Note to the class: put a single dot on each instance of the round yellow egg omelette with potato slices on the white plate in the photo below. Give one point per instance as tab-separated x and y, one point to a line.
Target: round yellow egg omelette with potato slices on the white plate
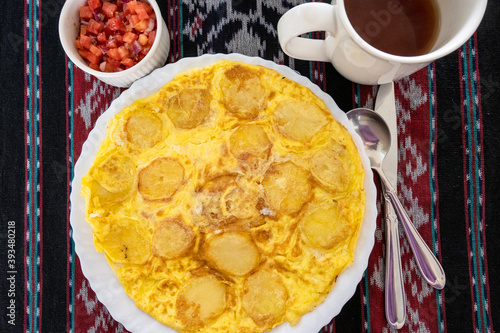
228	201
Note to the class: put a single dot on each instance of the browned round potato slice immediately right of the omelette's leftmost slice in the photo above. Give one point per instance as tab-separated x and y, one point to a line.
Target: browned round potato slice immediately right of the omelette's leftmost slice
161	178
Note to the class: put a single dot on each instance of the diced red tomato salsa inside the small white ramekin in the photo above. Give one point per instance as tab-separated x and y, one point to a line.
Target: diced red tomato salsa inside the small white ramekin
115	34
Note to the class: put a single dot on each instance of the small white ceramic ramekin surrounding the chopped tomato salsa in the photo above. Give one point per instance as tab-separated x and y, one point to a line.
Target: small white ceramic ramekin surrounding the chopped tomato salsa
69	28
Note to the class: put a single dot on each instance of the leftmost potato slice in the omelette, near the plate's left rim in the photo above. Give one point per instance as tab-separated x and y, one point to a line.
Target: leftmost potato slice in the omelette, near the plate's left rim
116	173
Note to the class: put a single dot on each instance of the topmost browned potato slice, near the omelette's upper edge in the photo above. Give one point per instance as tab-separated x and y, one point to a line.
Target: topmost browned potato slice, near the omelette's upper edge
244	95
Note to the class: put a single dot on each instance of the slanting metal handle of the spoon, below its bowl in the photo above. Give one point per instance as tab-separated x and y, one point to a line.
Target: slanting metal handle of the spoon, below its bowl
429	266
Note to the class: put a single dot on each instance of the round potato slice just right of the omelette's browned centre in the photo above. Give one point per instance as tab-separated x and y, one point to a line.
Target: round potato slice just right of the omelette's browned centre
286	187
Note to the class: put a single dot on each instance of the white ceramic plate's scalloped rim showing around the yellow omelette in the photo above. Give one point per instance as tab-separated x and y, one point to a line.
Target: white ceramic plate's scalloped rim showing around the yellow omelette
99	273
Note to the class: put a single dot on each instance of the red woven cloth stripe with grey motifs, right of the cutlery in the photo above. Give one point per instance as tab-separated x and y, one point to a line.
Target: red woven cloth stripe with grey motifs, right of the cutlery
424	302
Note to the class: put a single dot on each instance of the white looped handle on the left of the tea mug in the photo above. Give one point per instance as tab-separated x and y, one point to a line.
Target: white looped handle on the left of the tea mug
302	19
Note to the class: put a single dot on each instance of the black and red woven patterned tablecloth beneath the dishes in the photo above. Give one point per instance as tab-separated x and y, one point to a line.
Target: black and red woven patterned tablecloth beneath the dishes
449	131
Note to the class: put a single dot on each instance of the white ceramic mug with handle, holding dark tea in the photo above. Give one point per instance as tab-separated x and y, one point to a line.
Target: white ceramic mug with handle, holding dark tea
357	60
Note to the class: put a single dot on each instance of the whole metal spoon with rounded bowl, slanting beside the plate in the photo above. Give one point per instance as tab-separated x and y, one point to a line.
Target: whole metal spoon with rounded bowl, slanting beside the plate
376	138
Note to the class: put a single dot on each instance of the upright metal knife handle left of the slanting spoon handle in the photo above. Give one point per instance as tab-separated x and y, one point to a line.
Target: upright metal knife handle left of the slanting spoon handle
395	304
